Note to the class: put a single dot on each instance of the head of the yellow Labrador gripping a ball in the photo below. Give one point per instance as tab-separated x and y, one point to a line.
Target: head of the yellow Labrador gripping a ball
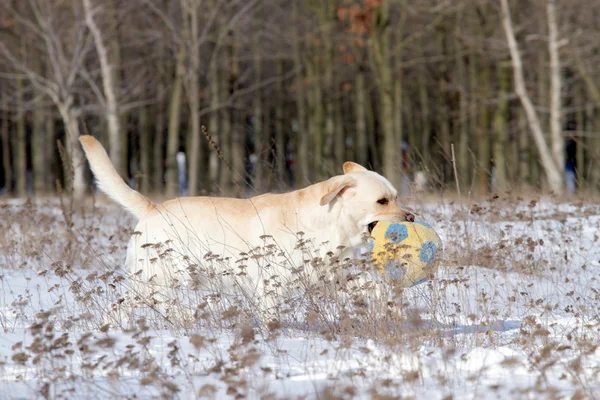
364	198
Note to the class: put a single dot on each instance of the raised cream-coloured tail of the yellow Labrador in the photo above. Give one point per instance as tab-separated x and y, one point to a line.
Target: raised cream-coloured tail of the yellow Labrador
109	181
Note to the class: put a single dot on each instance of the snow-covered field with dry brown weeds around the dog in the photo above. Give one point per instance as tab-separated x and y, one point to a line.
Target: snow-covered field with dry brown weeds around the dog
513	313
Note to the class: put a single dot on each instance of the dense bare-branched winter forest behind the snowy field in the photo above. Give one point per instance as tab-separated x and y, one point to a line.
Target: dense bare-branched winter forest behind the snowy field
266	95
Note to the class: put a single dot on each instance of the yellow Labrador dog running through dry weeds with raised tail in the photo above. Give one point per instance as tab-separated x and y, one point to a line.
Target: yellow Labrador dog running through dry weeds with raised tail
172	237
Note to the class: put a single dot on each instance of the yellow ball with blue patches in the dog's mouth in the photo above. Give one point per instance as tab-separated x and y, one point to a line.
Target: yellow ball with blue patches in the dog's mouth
405	252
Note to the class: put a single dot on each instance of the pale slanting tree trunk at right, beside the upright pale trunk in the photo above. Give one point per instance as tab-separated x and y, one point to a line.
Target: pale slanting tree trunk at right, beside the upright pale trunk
553	171
